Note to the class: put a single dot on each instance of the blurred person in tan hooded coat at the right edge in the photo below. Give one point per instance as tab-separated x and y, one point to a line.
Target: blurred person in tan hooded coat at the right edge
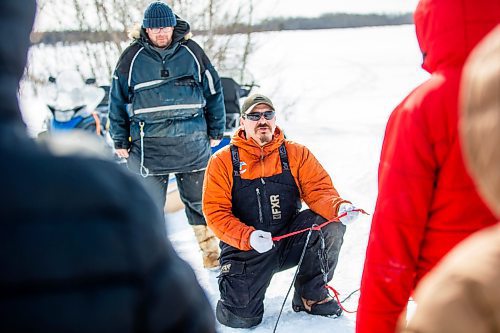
462	294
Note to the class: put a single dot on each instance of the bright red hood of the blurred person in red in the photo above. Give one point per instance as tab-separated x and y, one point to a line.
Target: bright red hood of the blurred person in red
447	30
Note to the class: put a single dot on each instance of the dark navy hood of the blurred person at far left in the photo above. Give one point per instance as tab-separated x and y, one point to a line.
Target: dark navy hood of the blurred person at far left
16	17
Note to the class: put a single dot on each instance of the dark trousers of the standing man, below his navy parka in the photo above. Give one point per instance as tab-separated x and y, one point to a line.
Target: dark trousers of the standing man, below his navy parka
190	189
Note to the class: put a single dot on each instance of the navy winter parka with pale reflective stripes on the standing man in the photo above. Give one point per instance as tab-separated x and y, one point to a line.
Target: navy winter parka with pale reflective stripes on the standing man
175	100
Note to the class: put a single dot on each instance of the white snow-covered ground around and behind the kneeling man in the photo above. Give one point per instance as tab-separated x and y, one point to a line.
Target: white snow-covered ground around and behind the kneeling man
334	91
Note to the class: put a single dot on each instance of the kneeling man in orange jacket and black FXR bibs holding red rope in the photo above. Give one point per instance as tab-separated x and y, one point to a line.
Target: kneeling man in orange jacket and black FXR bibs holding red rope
253	190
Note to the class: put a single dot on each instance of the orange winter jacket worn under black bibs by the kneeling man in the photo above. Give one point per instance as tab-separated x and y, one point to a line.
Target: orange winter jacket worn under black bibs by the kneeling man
315	185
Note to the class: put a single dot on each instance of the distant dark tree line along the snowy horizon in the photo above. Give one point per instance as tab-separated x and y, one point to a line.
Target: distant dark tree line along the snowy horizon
326	21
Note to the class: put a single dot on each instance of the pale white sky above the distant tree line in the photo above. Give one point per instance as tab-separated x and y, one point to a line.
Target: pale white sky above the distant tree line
311	8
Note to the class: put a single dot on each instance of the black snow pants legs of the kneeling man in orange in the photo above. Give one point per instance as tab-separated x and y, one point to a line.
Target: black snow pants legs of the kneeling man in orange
246	275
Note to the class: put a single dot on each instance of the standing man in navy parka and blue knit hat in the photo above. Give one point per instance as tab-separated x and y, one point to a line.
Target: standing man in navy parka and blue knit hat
166	111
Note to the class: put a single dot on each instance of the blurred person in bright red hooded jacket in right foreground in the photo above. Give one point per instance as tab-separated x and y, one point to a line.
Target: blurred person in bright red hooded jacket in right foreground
427	202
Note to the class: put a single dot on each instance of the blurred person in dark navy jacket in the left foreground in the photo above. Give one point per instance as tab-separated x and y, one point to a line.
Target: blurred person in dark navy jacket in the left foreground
74	256
